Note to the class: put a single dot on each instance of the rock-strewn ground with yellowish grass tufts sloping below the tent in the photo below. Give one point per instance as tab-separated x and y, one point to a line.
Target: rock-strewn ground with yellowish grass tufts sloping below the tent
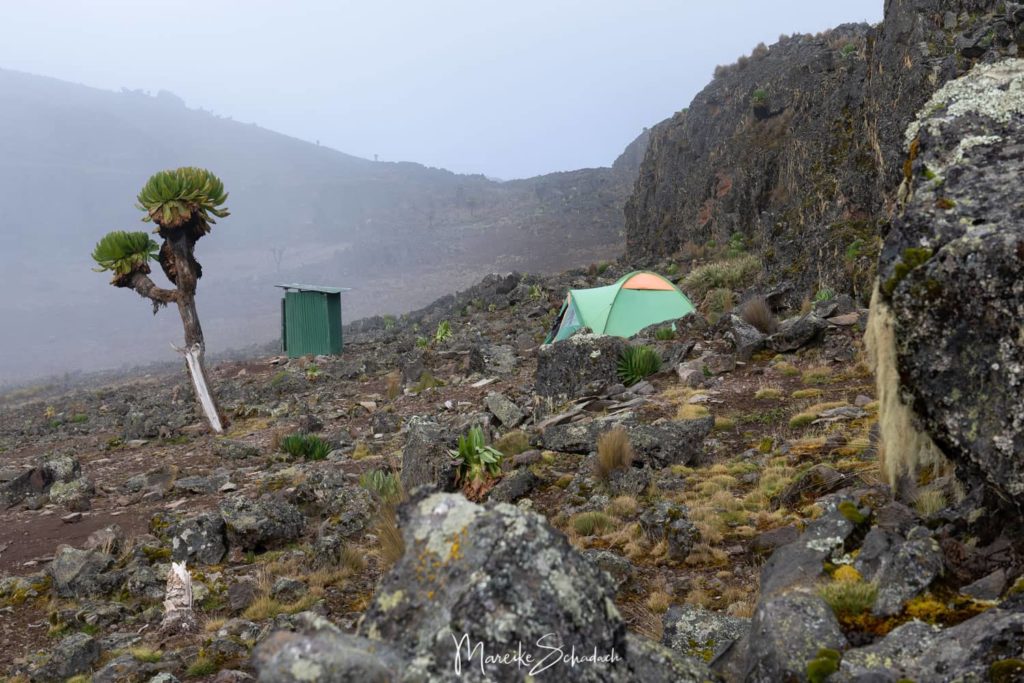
746	447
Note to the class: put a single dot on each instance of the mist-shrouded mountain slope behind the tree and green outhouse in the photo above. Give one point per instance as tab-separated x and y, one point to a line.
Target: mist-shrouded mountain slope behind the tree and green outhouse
73	158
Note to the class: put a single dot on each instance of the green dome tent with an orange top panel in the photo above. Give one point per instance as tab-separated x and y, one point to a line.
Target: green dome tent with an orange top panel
637	301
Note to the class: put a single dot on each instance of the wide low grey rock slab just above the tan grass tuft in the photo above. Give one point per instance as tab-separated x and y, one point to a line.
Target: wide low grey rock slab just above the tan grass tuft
658	445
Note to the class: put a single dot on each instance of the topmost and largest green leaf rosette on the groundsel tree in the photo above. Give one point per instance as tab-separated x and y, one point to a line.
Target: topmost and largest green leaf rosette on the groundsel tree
184	196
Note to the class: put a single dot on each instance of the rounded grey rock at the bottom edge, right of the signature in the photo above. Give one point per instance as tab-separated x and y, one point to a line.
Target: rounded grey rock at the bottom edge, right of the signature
788	632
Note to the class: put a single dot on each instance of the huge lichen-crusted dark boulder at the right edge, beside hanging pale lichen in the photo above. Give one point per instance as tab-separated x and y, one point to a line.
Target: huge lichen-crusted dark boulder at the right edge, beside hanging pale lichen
951	273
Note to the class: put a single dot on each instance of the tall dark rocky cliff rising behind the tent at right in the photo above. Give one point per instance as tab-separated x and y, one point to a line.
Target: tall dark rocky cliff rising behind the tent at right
799	147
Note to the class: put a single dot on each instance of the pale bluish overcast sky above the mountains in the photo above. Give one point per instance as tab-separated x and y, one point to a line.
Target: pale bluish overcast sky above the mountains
508	90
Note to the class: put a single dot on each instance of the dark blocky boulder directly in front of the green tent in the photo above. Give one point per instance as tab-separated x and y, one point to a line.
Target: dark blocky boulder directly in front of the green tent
578	366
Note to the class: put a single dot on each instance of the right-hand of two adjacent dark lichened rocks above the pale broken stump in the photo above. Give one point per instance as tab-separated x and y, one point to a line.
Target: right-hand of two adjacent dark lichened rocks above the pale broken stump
261	525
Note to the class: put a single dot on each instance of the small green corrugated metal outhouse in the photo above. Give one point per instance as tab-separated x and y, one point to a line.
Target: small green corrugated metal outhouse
311	320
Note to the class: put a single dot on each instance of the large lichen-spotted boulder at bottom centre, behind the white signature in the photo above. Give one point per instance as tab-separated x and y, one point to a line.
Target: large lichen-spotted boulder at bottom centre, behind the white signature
482	593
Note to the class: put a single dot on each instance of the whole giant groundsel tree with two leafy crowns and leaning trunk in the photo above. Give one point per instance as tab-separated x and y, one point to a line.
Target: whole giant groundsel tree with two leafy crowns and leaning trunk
183	204
